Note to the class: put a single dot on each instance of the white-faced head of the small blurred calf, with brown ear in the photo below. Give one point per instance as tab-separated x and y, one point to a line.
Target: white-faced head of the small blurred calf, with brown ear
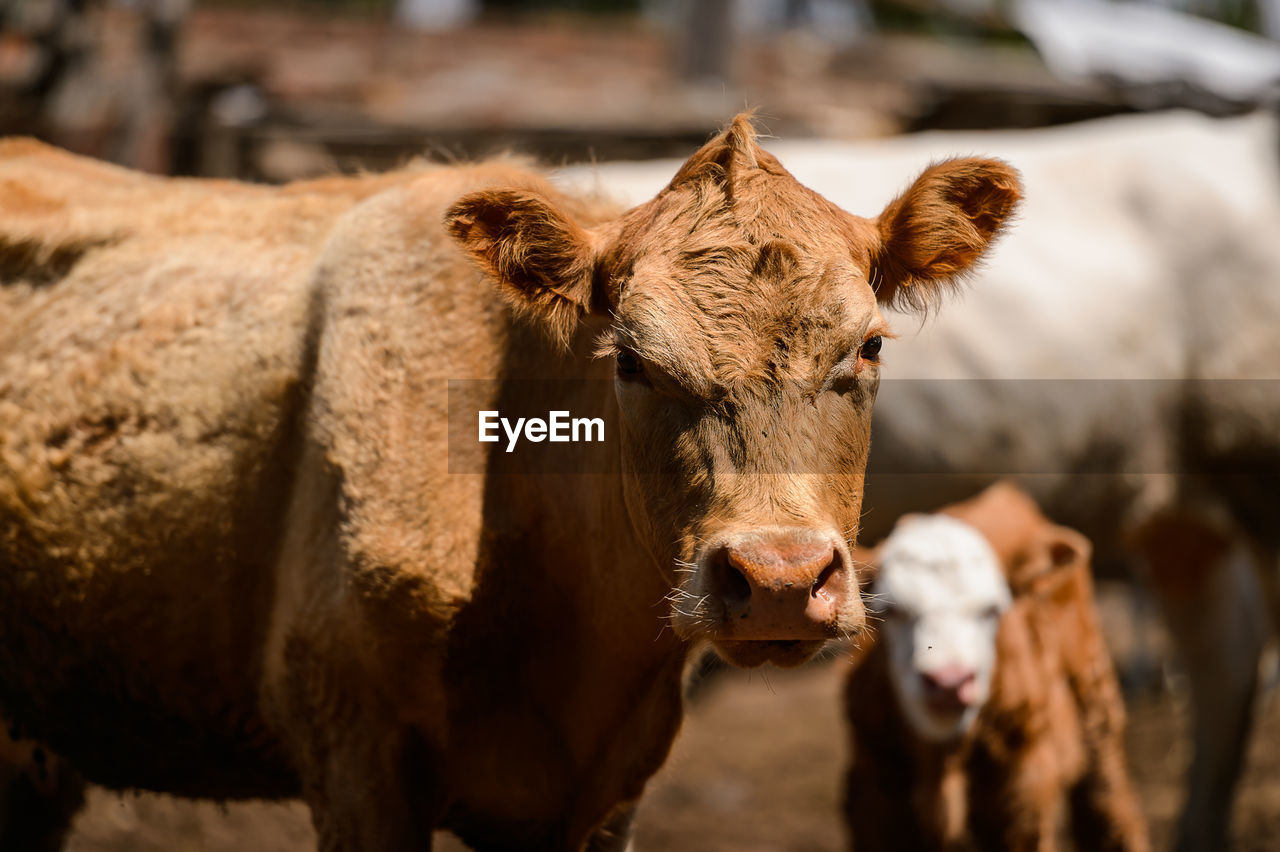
943	585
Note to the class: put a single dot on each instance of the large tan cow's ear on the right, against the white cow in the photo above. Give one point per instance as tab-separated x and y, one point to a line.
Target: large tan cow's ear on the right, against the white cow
939	230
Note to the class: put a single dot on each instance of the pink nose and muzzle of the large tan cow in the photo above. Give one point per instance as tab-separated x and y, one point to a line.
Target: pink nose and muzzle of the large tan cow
790	585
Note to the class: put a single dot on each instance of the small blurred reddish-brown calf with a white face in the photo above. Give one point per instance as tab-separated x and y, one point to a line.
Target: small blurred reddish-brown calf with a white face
988	703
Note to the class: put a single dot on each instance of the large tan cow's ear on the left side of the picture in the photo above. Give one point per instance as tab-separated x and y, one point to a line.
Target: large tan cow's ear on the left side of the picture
541	258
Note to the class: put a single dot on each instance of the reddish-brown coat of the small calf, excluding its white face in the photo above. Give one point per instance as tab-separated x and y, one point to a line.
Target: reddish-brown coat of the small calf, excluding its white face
1046	745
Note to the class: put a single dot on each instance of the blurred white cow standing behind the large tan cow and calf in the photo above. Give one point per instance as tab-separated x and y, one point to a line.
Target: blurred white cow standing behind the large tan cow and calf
1119	356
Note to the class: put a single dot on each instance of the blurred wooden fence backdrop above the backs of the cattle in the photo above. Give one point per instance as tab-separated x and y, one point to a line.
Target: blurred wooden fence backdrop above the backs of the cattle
275	90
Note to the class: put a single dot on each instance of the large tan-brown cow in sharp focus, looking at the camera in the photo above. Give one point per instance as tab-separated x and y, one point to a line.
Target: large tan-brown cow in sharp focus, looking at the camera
235	561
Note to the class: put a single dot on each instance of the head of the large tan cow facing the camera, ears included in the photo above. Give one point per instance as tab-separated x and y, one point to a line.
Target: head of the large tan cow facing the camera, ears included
740	312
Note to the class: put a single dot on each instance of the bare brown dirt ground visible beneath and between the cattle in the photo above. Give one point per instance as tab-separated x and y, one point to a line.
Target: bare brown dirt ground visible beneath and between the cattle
757	768
